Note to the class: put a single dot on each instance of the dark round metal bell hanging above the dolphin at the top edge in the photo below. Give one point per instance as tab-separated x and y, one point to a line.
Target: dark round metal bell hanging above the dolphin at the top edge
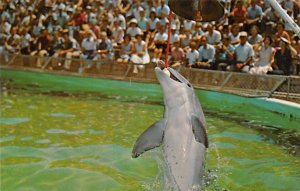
197	10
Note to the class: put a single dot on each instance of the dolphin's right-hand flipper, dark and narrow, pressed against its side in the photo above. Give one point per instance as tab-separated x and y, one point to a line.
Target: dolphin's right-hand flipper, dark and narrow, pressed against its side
199	131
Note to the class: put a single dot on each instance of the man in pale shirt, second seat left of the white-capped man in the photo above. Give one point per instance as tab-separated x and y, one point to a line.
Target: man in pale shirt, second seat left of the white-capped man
206	54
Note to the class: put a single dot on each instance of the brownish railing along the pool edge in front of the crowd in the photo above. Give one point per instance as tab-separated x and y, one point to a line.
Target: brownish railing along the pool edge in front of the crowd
284	87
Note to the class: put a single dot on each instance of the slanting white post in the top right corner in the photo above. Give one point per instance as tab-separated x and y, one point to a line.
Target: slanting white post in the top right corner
282	13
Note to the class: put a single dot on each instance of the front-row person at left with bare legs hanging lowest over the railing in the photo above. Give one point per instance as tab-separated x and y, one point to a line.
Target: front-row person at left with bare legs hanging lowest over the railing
69	50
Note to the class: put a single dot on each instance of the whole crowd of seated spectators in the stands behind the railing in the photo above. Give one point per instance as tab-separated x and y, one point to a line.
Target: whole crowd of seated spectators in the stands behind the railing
251	37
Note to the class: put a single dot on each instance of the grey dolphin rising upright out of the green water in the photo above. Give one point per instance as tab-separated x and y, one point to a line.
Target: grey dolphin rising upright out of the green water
181	132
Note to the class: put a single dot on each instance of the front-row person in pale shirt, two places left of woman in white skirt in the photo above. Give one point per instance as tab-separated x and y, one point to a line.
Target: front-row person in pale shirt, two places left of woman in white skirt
104	49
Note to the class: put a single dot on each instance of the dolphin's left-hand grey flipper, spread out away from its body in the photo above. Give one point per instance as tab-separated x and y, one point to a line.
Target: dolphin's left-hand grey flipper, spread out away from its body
149	139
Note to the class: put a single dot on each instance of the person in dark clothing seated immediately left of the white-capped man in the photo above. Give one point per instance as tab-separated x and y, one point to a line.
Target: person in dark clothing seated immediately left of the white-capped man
224	54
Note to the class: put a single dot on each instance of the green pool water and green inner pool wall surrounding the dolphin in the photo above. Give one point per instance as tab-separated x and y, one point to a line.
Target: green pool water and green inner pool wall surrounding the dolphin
70	133
